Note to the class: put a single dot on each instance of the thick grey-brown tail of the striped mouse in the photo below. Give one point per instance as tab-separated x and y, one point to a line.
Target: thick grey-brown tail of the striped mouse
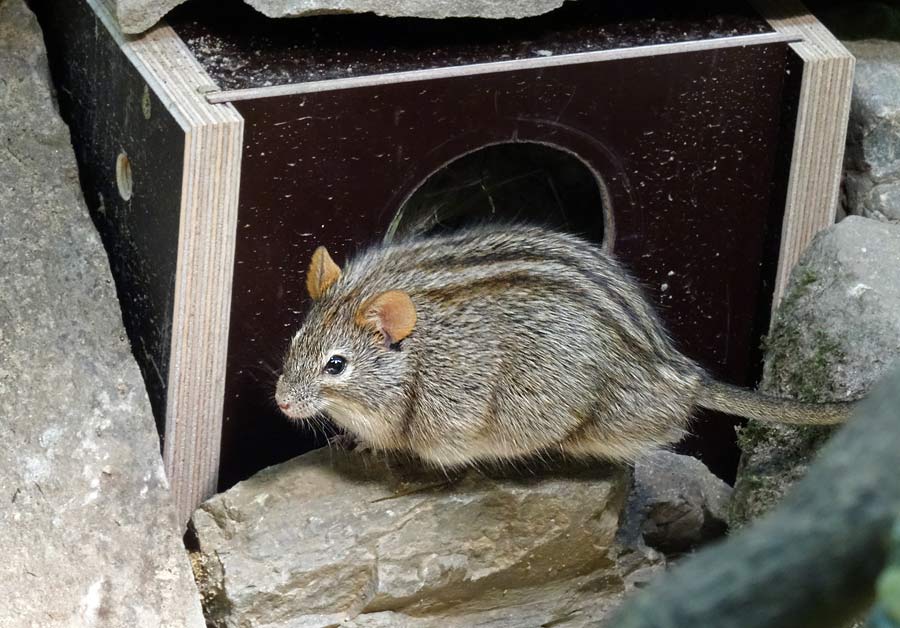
755	405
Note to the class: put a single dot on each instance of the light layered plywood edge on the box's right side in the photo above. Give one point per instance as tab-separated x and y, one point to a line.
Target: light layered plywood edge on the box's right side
818	155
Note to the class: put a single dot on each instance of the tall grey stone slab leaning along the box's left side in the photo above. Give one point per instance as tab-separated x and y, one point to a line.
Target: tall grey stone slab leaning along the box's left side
89	536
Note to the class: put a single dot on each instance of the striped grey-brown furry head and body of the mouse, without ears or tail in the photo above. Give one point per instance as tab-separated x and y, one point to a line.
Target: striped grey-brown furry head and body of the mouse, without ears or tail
526	341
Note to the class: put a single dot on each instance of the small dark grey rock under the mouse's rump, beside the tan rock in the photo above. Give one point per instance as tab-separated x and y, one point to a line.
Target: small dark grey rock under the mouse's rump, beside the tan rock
676	504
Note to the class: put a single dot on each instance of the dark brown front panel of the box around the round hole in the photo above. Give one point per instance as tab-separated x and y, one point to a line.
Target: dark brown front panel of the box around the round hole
686	145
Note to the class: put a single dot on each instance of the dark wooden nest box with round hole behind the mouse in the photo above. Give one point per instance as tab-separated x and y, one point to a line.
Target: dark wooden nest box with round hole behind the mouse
702	147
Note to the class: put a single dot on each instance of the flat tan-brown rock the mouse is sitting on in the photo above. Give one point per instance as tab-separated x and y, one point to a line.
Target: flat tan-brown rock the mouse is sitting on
340	538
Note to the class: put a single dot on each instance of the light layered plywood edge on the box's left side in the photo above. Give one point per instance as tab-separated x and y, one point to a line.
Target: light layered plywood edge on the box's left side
205	264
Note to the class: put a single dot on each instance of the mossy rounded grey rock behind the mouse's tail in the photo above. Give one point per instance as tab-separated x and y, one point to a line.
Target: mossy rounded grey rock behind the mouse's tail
836	332
